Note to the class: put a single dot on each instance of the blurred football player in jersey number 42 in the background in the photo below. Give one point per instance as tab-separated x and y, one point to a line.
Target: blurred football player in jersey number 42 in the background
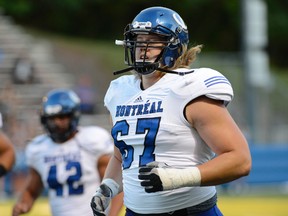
69	161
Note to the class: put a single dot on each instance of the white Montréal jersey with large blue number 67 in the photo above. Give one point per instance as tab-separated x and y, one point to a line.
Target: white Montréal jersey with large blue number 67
149	125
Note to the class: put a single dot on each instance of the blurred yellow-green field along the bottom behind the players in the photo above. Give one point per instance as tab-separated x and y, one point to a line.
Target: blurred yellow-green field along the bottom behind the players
229	205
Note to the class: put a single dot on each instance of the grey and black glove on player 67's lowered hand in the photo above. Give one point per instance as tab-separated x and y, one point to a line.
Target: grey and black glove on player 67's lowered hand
101	200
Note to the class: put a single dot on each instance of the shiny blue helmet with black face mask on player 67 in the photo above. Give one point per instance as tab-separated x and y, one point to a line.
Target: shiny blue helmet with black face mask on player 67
163	22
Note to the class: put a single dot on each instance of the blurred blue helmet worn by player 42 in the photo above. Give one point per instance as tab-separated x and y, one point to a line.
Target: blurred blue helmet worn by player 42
57	103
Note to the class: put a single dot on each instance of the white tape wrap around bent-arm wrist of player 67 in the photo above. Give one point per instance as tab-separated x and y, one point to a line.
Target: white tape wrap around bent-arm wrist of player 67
173	178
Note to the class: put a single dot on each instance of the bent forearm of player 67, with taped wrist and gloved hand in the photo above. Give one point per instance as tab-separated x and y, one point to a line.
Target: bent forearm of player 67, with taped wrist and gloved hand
156	176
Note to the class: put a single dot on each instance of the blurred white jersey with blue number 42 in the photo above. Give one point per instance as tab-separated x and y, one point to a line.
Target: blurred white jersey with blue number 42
69	170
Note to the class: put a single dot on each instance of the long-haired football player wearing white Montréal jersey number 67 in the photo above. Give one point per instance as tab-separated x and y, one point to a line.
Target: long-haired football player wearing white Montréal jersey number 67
174	137
